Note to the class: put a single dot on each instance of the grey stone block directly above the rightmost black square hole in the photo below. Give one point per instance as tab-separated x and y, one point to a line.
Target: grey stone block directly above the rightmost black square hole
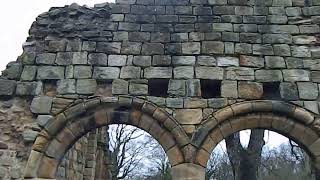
268	75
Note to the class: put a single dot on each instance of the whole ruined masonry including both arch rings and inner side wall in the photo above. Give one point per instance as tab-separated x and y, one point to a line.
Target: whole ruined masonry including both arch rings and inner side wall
189	72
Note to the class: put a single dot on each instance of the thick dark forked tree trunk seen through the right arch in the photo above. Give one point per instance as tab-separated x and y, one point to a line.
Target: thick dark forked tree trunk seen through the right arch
245	162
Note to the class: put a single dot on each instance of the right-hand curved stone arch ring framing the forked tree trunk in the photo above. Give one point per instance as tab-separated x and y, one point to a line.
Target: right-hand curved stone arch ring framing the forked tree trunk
286	119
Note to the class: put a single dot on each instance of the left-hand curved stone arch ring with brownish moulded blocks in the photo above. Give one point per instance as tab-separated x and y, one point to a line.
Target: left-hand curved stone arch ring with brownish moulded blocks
67	127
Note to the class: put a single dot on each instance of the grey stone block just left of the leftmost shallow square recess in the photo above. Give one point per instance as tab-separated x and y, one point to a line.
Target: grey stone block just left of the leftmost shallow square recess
29	88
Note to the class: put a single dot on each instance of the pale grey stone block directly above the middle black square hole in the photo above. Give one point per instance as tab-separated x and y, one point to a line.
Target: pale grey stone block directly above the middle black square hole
215	73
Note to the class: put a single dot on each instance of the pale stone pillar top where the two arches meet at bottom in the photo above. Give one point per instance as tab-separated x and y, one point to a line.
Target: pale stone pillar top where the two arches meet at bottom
188	171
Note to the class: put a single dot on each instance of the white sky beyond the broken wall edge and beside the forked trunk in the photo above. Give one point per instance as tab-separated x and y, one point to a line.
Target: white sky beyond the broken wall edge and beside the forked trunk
16	17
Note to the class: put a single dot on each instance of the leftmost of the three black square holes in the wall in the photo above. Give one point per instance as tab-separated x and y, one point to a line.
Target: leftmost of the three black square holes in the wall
158	87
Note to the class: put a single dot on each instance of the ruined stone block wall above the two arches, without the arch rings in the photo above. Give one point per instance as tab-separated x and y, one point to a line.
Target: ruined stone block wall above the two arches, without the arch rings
190	57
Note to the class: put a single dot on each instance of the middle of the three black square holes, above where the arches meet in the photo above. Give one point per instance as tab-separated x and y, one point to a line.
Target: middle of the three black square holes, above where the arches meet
210	88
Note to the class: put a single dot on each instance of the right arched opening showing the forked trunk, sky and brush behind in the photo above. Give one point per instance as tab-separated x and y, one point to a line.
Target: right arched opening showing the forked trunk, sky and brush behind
259	154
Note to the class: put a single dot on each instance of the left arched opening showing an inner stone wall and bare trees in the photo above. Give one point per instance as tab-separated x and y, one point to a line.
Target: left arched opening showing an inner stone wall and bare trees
115	152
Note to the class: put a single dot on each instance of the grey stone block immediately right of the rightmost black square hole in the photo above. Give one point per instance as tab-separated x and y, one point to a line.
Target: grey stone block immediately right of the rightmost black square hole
289	91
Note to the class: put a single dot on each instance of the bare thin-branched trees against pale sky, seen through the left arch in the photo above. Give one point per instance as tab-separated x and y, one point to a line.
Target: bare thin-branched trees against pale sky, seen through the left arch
135	154
